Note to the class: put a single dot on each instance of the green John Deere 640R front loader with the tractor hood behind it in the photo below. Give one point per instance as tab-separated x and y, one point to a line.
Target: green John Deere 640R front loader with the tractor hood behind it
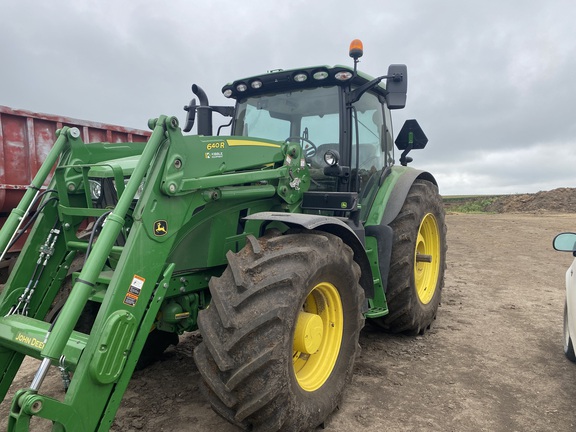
138	262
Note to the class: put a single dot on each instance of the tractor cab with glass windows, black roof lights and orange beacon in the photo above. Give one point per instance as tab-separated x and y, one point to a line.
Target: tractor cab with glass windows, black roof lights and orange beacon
340	117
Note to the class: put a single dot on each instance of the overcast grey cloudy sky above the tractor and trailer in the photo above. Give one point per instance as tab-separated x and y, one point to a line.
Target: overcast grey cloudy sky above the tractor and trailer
492	83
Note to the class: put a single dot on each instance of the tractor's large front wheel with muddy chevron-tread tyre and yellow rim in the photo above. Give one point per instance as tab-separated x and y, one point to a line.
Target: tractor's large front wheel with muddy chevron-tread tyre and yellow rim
281	333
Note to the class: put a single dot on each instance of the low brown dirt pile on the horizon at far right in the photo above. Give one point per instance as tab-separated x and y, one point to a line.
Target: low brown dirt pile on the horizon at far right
562	200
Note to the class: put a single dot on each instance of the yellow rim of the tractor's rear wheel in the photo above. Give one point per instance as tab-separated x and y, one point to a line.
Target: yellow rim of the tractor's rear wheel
427	258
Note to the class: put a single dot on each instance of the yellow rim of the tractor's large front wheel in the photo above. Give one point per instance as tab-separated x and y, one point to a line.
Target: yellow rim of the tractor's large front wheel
317	336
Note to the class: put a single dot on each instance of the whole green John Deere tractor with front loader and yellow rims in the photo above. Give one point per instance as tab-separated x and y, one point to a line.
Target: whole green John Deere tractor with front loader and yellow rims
276	243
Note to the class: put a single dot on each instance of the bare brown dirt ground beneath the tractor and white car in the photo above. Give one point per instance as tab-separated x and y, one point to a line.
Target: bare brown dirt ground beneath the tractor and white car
493	360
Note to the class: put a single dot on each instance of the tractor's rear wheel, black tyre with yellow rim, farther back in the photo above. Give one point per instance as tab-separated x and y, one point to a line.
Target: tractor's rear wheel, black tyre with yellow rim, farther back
418	261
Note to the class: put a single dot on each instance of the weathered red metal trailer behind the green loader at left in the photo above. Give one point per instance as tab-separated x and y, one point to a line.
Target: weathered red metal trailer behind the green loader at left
25	139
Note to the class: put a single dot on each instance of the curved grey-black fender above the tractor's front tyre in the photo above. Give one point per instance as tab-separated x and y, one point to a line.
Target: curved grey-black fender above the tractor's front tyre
333	226
